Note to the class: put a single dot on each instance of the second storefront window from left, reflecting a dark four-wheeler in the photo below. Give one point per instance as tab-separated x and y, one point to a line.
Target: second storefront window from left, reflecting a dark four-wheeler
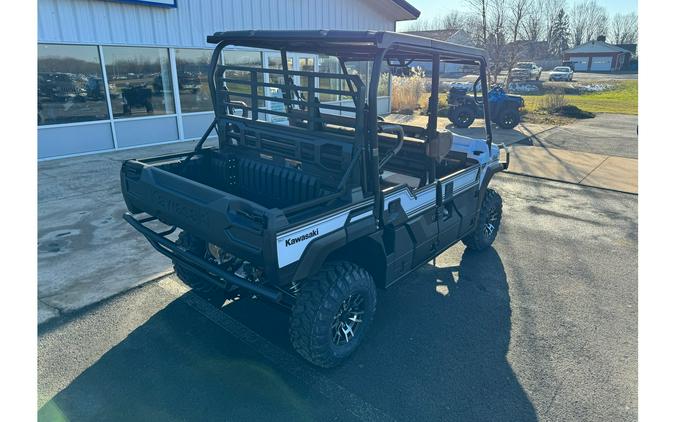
139	79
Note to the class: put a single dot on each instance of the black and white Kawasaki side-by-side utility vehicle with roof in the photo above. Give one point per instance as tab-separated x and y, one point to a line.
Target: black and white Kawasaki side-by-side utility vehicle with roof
311	199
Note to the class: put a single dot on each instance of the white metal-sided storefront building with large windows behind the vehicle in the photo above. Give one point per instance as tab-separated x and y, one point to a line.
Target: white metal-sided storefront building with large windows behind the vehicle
122	74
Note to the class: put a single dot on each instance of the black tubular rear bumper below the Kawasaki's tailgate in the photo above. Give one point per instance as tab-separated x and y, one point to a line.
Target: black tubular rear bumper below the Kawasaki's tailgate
200	266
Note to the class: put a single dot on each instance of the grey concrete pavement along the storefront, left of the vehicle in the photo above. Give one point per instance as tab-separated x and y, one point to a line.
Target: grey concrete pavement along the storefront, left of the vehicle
86	251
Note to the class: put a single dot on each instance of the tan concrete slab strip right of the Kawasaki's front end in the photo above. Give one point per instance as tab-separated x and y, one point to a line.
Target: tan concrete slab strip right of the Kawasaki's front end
584	168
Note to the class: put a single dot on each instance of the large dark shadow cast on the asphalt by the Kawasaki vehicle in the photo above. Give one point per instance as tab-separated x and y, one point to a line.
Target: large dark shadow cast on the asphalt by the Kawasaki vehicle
436	351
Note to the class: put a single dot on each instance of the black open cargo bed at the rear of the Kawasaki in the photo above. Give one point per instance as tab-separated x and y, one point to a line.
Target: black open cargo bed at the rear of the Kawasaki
238	203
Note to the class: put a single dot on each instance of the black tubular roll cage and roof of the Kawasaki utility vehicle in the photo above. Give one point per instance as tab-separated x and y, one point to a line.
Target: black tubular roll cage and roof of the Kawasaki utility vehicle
346	46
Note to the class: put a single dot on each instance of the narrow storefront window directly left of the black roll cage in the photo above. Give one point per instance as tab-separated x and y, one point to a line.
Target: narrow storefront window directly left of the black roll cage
192	68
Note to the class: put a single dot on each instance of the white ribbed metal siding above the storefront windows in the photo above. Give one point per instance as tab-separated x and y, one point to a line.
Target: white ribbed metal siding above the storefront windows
110	22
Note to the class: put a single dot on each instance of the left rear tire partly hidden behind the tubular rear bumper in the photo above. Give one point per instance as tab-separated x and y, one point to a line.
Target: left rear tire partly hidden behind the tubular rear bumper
197	283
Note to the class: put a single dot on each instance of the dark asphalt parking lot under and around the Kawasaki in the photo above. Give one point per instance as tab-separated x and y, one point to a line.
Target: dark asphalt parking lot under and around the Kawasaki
541	327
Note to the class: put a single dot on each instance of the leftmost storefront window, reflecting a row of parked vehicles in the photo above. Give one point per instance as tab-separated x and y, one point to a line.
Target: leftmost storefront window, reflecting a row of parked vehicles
70	84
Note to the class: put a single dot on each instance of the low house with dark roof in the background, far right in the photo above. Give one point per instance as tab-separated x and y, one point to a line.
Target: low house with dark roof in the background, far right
599	56
